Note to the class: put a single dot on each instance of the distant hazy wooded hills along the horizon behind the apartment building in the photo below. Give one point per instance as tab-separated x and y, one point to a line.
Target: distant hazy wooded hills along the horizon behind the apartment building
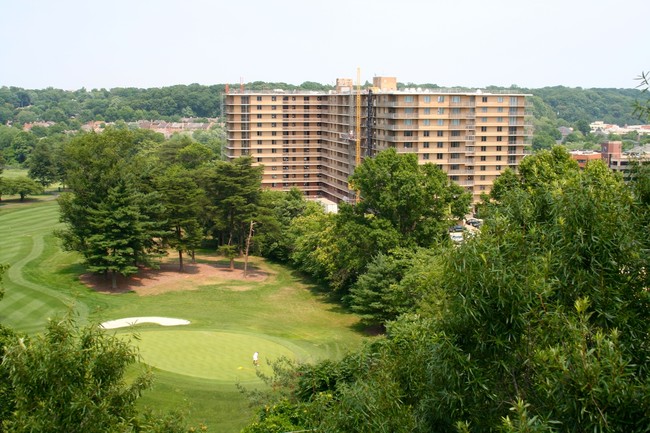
552	107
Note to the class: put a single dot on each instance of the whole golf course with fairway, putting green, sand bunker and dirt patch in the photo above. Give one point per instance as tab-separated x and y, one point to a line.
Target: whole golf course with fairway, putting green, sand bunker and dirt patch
197	330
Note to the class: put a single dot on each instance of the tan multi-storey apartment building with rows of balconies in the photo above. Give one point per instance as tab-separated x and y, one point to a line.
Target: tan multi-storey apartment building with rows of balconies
308	139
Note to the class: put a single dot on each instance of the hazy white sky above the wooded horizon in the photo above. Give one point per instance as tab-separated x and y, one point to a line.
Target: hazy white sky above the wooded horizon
71	44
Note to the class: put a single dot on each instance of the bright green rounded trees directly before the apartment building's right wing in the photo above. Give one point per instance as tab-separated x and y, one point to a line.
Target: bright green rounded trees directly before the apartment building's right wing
403	205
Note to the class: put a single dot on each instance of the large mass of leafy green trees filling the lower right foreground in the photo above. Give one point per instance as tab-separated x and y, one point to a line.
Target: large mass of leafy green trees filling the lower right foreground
539	323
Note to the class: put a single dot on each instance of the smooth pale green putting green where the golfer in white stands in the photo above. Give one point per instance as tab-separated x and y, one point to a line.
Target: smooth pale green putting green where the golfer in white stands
212	355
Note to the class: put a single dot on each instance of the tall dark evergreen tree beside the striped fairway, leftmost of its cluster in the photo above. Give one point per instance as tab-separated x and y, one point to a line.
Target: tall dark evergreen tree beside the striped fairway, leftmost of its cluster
112	217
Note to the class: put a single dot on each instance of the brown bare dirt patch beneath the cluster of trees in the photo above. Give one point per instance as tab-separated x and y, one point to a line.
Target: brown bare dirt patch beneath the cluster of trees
169	279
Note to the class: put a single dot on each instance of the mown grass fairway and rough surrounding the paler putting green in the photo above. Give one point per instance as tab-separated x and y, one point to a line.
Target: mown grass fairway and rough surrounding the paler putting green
43	282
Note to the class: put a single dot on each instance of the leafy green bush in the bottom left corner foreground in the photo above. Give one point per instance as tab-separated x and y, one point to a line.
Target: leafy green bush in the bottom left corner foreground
74	380
